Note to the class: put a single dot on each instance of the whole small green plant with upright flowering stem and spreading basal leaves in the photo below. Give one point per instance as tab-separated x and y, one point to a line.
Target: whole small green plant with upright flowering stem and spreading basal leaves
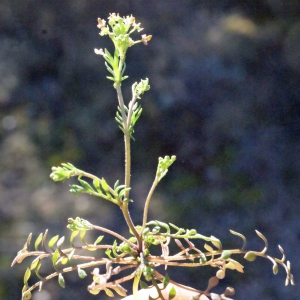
134	252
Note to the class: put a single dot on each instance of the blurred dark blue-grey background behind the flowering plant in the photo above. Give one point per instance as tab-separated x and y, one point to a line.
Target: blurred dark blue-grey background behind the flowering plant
224	98
